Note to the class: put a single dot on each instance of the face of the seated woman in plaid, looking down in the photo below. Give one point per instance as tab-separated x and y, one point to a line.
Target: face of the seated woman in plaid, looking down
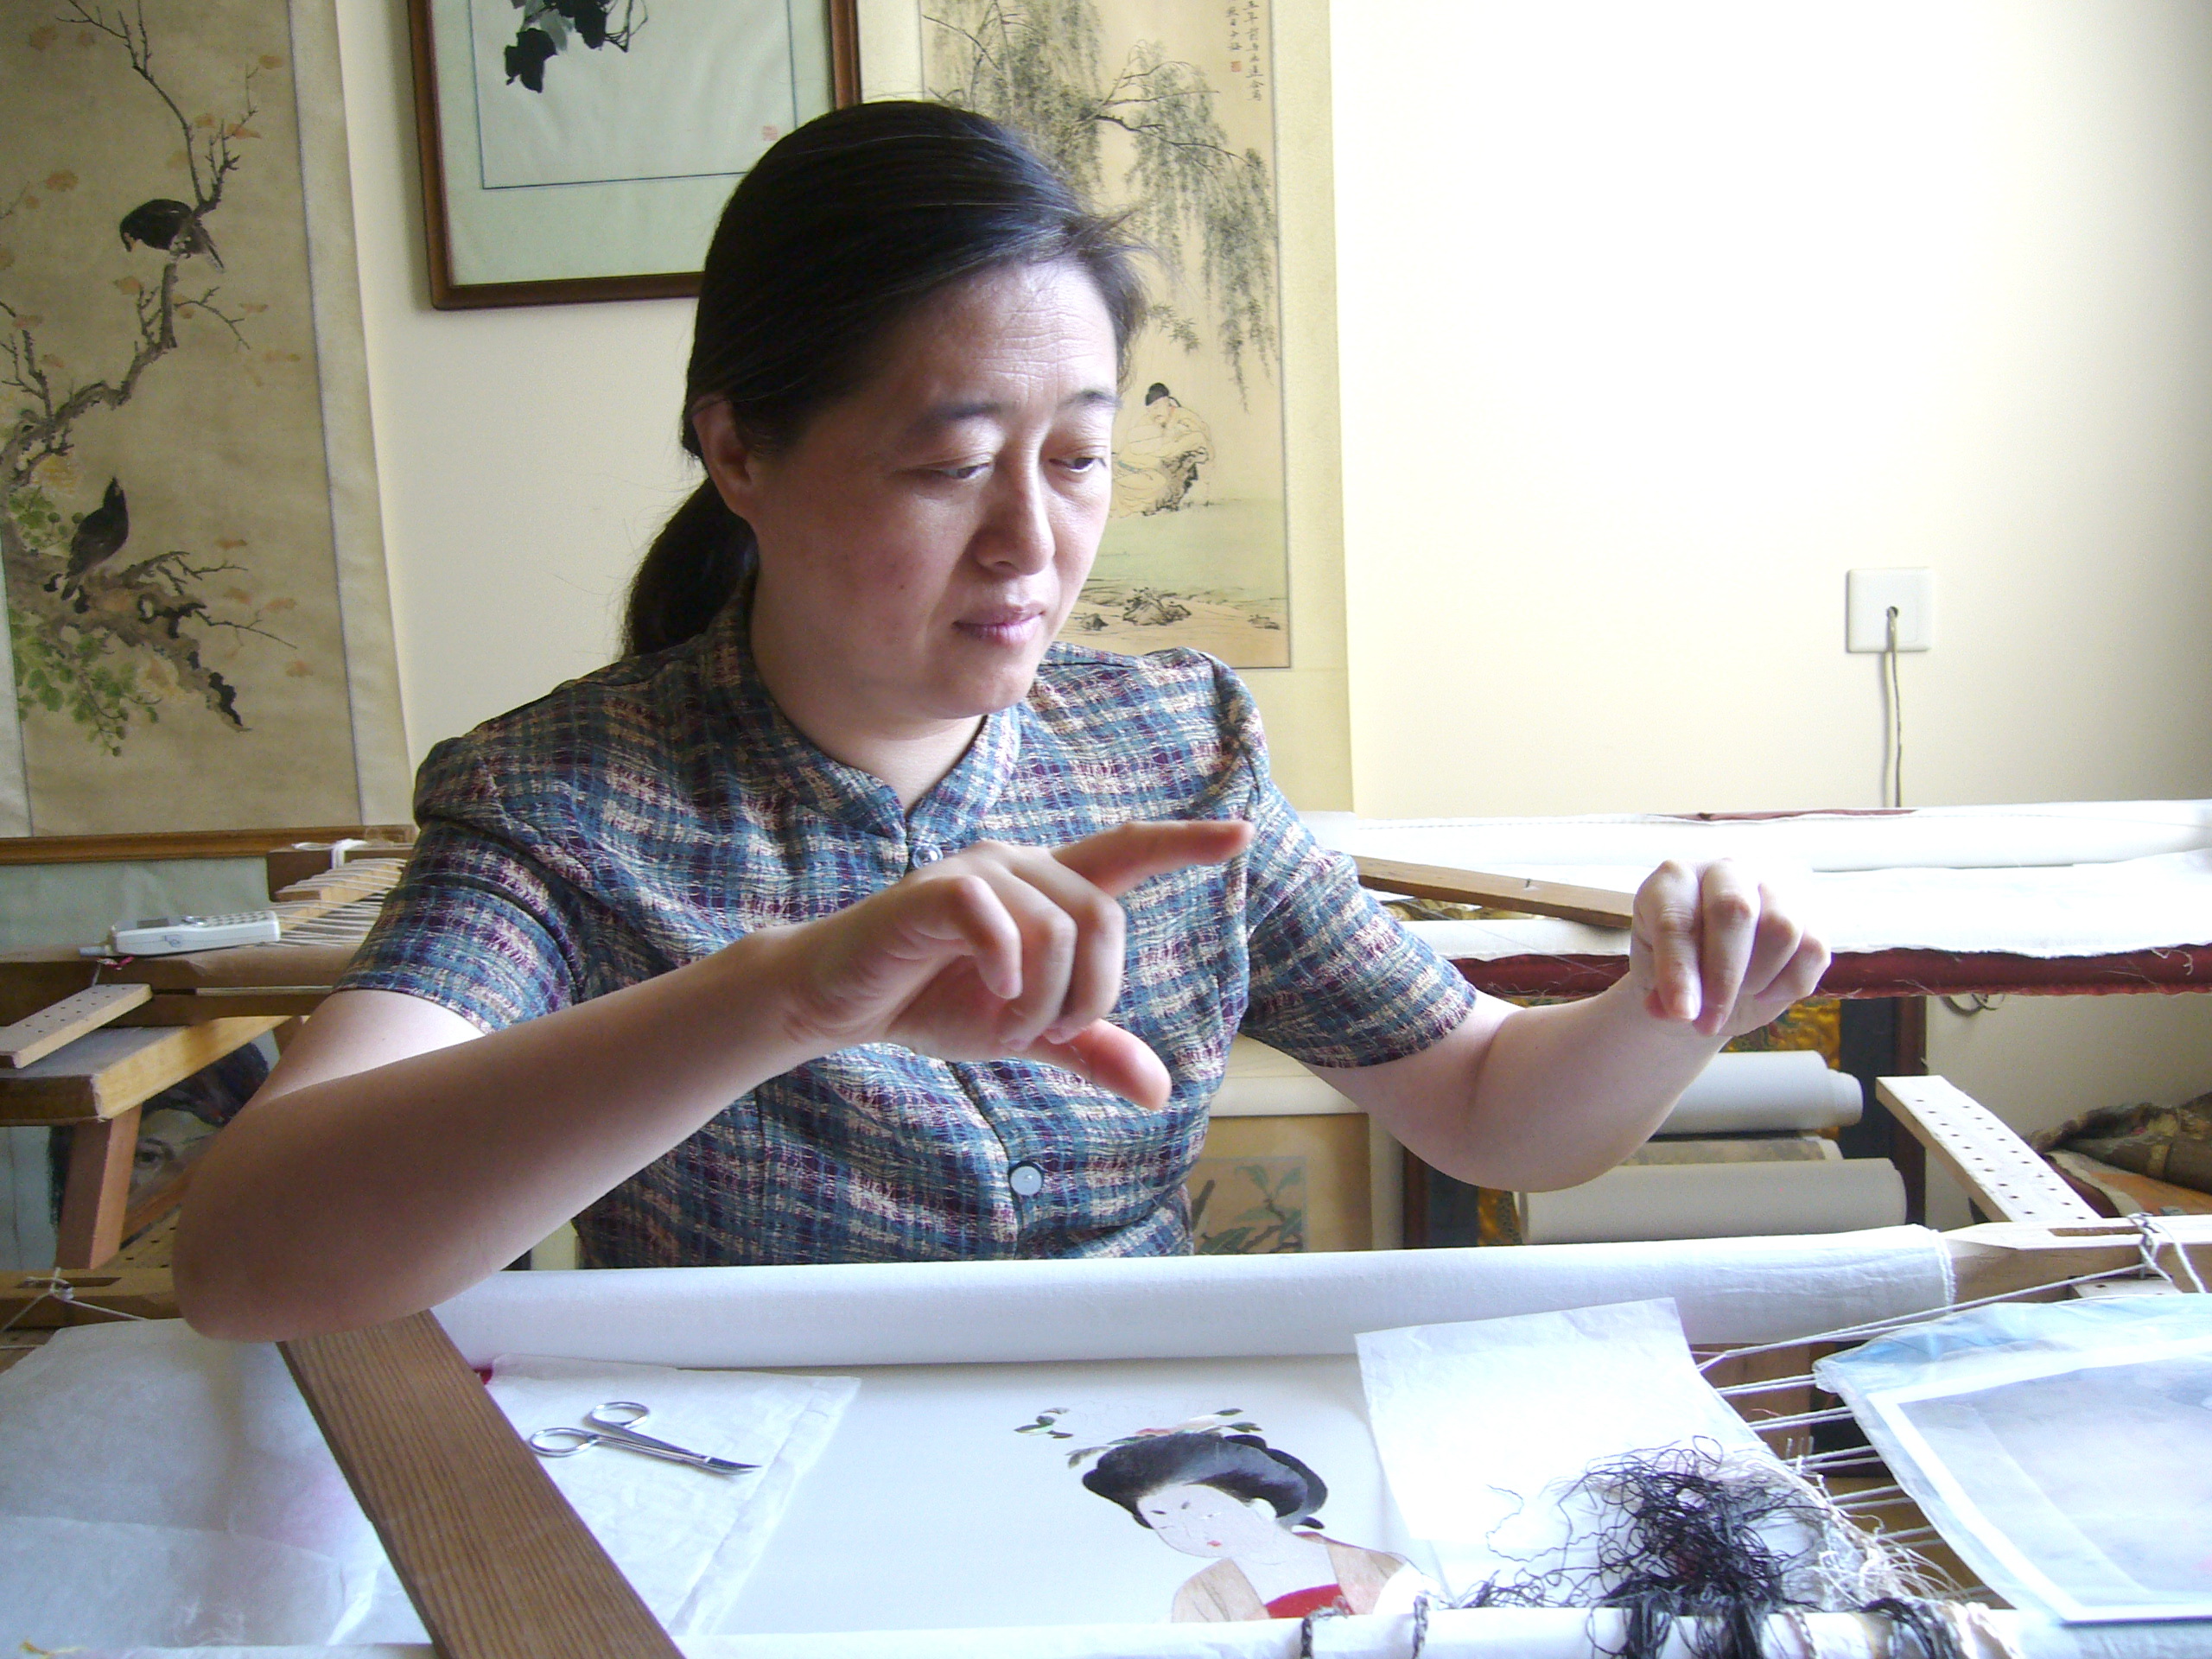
924	539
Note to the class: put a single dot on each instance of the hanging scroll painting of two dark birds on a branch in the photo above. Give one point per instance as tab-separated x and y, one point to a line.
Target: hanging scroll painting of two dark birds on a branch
198	618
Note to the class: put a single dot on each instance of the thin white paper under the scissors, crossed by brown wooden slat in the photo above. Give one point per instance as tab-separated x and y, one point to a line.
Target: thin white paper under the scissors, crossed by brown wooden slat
158	1488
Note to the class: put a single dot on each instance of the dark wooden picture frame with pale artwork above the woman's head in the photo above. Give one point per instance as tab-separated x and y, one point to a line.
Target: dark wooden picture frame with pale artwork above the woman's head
536	191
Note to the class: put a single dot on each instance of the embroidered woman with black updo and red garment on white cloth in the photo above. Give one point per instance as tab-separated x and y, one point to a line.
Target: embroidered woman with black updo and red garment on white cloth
1251	1512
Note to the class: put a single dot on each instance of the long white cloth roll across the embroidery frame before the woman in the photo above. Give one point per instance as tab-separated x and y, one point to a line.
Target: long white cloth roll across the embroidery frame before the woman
950	1313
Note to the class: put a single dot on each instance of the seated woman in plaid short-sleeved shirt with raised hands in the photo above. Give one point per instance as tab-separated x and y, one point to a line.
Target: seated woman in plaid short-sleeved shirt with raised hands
795	935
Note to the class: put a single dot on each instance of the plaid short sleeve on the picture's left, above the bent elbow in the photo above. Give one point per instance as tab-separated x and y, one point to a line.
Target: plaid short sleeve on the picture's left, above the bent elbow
474	924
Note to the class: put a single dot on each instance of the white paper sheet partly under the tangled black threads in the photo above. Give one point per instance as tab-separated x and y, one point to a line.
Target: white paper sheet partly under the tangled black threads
1481	1423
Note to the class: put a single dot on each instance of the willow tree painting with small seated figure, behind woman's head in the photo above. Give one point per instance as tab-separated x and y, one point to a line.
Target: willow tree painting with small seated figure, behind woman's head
1165	112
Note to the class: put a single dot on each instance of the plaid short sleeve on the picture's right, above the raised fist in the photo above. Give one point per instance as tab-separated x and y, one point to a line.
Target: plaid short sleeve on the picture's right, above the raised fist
1337	981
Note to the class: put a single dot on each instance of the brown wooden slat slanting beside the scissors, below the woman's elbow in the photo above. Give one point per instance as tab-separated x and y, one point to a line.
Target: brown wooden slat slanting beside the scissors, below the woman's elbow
490	1552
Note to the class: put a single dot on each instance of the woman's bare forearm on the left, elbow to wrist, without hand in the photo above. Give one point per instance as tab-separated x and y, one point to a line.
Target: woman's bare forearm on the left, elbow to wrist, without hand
377	1193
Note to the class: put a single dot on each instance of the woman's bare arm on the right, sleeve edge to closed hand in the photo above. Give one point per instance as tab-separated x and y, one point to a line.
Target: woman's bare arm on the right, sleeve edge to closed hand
1547	1098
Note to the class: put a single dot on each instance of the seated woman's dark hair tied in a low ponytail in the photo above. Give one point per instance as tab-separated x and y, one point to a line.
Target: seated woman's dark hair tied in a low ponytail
837	236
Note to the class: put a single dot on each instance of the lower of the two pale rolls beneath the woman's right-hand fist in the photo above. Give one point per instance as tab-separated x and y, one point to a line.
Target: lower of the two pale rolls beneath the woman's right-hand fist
1720	1200
